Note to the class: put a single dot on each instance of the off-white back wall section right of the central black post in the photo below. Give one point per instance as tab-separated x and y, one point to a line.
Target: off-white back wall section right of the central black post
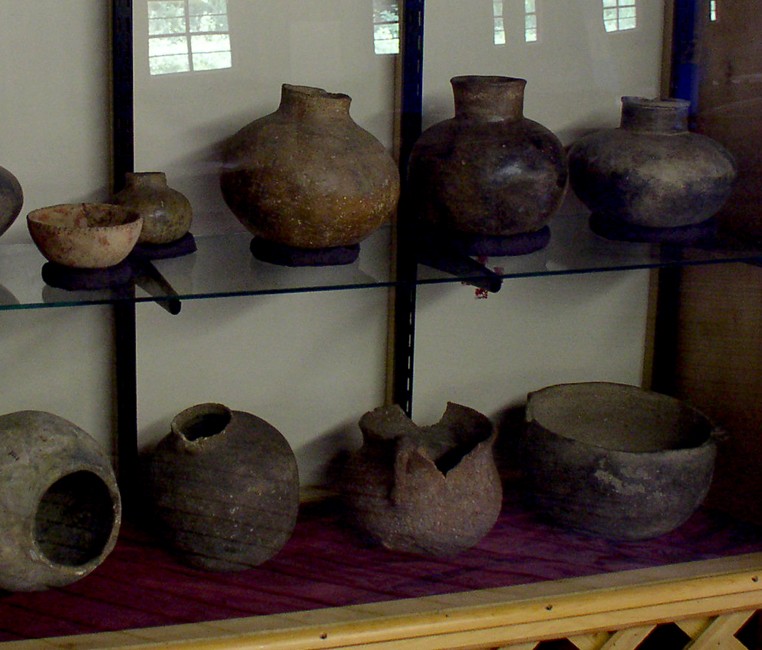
489	353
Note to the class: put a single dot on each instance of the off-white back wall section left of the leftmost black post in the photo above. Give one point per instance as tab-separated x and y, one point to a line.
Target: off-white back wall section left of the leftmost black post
54	136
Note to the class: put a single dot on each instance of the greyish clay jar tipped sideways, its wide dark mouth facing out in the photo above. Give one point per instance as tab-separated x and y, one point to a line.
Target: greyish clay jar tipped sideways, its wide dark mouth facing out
60	508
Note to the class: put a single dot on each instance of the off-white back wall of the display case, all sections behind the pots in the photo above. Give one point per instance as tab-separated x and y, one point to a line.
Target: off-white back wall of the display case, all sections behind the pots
311	364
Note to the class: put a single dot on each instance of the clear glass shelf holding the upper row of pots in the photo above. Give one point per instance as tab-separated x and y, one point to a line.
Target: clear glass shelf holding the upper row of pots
223	266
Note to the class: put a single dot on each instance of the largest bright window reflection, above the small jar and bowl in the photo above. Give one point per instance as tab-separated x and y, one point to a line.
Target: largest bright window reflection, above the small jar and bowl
188	35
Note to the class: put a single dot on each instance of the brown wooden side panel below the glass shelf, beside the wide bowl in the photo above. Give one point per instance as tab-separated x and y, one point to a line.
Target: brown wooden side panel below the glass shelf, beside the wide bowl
720	372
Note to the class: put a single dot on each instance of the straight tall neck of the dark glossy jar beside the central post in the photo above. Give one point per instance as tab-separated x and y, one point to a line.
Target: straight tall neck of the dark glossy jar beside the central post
489	98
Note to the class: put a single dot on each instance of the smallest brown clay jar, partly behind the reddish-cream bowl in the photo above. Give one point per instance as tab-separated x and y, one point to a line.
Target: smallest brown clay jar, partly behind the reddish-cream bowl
167	214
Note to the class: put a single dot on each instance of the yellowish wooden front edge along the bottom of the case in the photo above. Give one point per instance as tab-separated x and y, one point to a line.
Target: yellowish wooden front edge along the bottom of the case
486	618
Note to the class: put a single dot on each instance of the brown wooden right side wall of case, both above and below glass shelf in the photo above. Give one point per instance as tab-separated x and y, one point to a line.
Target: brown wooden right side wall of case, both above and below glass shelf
720	338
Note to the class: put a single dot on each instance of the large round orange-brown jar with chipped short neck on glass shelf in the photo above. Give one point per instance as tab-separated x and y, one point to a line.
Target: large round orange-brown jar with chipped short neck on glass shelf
307	175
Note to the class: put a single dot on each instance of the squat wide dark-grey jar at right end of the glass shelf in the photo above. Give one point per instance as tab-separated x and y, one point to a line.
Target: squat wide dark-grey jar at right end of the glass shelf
652	171
